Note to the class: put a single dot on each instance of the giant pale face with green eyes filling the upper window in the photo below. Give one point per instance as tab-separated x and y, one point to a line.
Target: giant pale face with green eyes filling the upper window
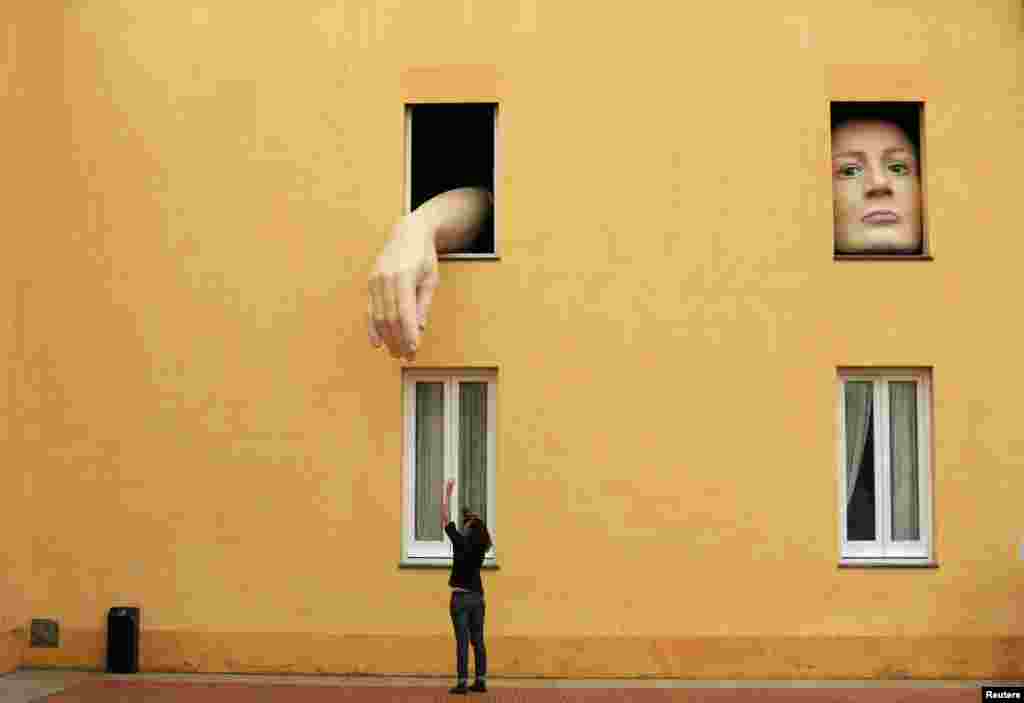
876	190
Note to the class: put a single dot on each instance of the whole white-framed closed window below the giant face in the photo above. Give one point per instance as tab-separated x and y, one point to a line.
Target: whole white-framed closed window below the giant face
885	471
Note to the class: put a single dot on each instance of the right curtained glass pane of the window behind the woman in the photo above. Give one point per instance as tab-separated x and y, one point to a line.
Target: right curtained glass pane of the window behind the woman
474	448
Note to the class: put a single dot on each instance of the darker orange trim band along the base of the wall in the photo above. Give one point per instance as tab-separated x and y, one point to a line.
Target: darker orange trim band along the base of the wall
709	658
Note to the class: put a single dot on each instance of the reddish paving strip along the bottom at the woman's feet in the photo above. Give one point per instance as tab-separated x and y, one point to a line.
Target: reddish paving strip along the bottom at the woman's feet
189	692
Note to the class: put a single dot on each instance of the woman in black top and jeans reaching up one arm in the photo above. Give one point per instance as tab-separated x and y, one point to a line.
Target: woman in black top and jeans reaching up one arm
467	604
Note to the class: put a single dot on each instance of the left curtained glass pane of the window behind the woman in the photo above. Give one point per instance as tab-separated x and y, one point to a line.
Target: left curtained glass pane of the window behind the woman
430	475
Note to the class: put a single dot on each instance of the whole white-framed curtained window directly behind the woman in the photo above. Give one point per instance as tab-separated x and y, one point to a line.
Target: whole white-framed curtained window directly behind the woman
450	428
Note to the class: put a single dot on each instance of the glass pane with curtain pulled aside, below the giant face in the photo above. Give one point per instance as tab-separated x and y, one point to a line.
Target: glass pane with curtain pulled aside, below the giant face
860	462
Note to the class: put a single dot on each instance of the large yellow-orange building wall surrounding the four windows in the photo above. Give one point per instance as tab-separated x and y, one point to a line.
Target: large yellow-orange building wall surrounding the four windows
207	433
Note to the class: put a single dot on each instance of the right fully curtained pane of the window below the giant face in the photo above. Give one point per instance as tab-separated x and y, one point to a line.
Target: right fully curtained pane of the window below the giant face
904	460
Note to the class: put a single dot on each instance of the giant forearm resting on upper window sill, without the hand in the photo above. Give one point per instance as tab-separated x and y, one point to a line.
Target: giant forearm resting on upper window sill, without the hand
454	218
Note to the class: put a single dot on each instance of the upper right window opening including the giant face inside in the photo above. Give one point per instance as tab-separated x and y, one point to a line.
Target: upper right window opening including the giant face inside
878	181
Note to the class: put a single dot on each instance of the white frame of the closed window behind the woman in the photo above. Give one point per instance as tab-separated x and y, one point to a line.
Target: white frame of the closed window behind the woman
419	553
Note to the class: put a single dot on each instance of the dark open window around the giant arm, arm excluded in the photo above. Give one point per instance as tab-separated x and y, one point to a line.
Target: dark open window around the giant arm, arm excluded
452	146
